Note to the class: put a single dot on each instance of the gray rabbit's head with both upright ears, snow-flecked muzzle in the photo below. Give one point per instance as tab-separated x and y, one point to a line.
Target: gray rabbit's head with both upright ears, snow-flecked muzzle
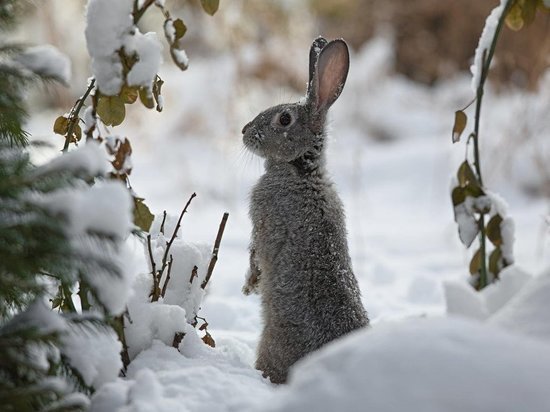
295	131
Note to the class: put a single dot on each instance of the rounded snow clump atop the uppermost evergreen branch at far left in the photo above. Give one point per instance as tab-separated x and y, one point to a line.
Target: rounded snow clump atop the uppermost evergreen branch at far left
48	61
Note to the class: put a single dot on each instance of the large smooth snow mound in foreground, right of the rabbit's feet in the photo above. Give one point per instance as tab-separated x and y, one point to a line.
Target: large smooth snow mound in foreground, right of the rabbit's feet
428	365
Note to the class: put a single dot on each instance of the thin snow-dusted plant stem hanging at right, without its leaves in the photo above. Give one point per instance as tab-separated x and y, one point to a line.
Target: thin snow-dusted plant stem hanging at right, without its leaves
486	63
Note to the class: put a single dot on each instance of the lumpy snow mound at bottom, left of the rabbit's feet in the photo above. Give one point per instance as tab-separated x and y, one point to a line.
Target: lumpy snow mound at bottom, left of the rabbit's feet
161	379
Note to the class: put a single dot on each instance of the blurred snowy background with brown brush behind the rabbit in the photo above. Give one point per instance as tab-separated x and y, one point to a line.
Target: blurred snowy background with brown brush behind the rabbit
390	149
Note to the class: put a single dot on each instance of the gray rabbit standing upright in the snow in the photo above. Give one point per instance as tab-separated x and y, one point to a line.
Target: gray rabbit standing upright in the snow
299	259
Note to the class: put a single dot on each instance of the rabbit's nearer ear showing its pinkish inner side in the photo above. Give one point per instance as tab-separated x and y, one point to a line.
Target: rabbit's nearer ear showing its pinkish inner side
329	76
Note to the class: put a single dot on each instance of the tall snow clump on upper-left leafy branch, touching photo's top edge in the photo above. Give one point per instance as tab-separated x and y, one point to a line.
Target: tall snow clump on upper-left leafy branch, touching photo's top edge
107	23
